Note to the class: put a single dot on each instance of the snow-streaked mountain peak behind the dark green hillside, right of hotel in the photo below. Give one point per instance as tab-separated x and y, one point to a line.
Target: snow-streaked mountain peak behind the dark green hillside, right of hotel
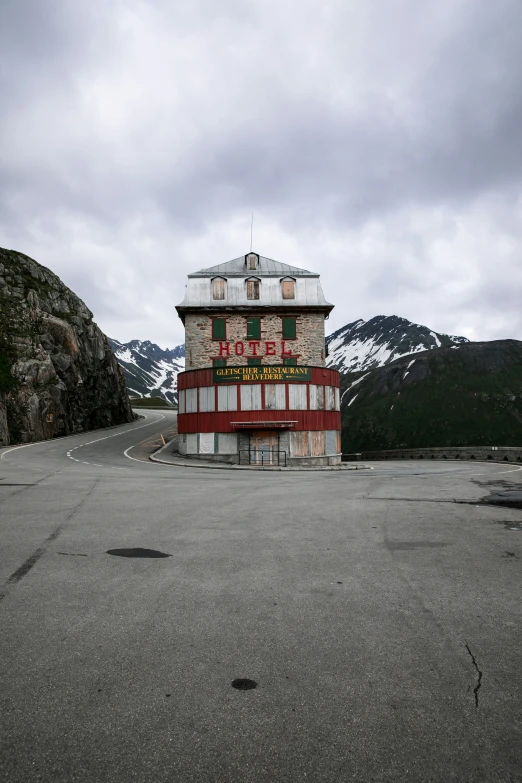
363	345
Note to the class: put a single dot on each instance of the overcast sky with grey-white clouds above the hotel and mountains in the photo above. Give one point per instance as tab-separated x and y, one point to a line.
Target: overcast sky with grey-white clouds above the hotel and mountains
378	142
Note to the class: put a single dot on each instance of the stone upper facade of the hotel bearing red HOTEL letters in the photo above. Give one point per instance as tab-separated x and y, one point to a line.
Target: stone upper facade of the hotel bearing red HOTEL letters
237	348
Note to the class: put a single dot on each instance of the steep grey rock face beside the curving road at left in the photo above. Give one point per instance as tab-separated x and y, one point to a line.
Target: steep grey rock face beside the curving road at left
58	375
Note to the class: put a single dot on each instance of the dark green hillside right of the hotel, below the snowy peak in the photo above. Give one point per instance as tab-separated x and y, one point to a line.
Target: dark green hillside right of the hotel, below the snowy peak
470	394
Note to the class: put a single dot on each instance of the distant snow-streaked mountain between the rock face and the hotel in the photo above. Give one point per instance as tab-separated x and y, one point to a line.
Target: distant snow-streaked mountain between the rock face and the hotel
149	370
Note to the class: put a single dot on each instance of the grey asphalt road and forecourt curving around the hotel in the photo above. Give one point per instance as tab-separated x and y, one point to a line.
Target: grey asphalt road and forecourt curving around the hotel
380	619
